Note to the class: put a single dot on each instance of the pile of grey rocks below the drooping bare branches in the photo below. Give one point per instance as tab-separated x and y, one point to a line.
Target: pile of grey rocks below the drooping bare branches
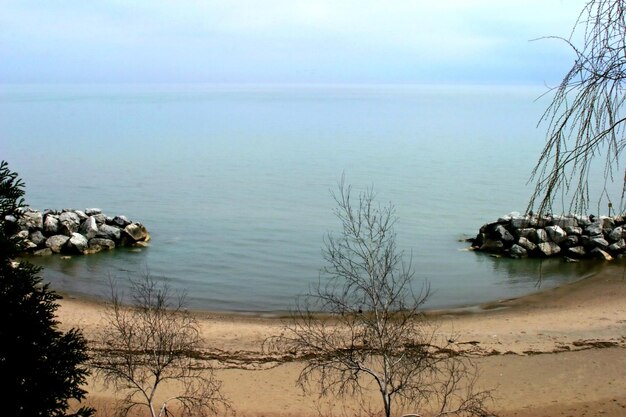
570	236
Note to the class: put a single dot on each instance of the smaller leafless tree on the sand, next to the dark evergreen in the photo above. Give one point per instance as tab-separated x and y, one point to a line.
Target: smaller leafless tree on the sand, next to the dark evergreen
150	344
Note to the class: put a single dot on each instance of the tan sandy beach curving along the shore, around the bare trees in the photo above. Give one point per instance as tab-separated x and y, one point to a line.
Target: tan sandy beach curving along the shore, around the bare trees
559	352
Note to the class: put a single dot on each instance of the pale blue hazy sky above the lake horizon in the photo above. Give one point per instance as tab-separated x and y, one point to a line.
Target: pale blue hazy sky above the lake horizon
288	41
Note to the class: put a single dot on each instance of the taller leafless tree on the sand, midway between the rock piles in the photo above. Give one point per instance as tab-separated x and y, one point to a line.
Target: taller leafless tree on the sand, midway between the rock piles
363	324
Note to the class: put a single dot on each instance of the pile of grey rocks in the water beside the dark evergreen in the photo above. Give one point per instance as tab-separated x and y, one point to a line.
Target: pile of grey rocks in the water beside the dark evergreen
74	231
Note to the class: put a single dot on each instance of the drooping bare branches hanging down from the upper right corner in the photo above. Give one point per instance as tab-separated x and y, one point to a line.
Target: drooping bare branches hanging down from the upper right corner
586	117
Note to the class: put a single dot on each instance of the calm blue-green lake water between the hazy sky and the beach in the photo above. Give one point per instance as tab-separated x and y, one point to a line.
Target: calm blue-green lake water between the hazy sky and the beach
233	182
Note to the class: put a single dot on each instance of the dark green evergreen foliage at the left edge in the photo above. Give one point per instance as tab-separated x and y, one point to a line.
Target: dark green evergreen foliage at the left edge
41	368
